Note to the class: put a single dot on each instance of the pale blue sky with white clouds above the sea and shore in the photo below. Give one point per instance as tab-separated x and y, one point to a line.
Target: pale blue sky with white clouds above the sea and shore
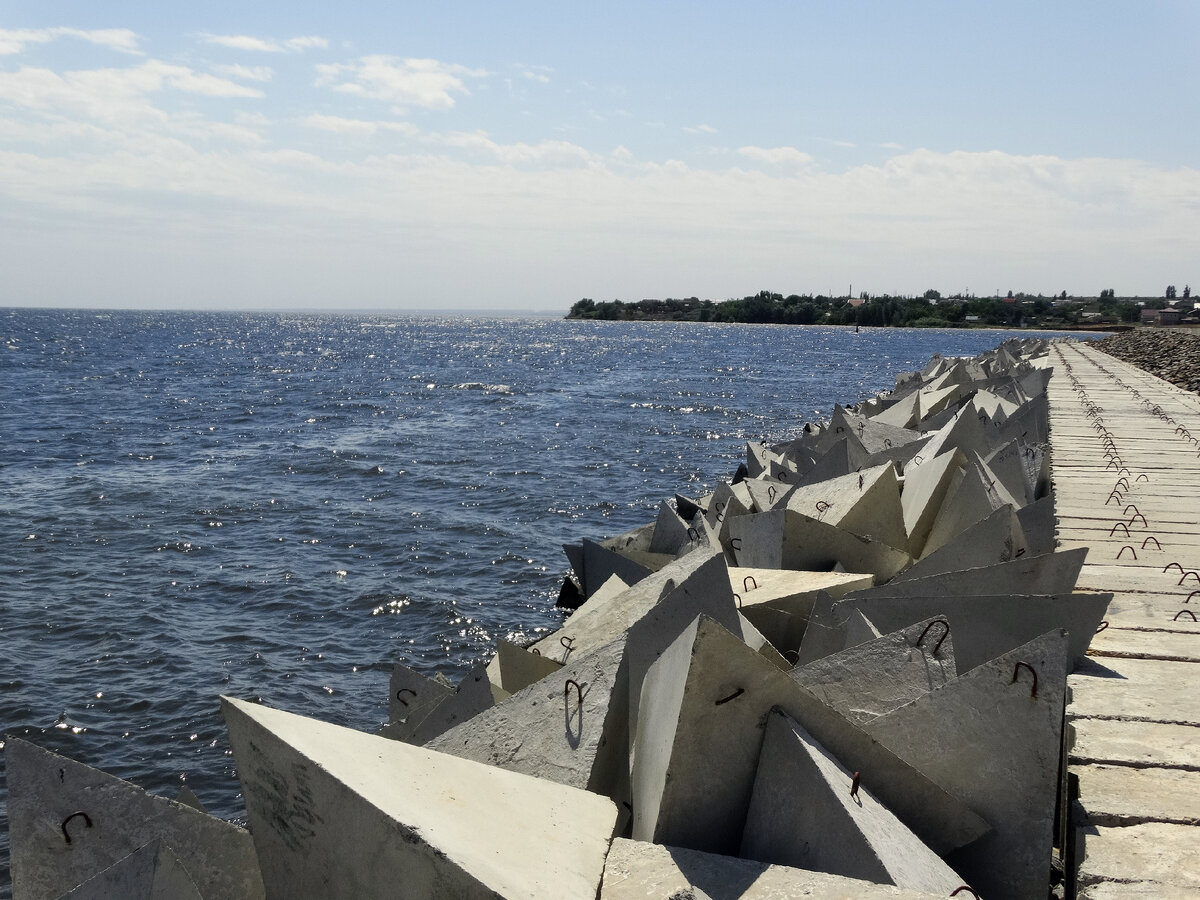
524	155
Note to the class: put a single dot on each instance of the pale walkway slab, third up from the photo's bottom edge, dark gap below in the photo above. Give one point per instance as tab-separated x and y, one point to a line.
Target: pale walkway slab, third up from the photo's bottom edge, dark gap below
1126	796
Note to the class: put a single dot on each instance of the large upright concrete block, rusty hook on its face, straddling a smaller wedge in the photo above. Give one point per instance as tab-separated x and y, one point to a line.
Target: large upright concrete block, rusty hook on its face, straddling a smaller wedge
704	706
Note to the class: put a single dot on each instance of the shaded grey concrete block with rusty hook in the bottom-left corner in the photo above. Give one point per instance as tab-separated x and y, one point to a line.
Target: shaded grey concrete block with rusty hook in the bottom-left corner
46	793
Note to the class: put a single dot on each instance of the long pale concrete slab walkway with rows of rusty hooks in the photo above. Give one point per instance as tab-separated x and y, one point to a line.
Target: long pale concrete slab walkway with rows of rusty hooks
1127	479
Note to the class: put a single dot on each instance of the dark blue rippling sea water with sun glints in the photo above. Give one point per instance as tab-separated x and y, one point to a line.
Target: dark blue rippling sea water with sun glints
190	503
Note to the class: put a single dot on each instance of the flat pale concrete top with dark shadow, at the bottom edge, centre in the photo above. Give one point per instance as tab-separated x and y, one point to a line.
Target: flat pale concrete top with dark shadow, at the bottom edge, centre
638	871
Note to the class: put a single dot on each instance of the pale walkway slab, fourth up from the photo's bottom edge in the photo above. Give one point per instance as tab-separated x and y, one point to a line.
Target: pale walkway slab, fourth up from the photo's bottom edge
1125	743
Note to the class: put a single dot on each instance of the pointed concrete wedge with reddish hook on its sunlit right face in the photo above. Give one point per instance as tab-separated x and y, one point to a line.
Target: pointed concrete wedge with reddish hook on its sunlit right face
809	812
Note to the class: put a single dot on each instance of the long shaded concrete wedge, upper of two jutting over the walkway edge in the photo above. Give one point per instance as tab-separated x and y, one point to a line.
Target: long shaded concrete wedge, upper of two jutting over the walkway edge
1046	574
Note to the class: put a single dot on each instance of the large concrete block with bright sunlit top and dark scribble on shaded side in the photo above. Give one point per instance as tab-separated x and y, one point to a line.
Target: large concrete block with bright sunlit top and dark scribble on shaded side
341	814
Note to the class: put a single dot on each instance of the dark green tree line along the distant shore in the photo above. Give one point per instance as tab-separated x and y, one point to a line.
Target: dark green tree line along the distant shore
931	310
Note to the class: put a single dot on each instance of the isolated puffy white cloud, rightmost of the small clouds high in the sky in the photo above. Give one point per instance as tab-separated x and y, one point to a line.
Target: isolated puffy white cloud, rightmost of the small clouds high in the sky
401	82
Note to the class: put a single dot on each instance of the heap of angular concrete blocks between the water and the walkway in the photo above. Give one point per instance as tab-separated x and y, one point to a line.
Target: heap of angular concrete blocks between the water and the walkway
625	679
